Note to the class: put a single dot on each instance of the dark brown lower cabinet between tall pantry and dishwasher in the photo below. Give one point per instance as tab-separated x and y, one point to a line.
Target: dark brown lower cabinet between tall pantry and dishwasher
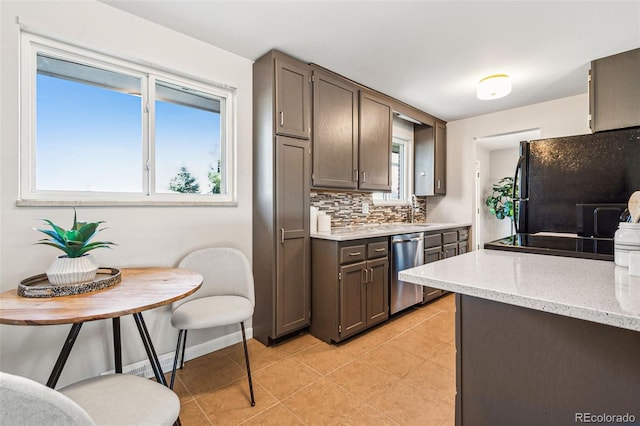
350	286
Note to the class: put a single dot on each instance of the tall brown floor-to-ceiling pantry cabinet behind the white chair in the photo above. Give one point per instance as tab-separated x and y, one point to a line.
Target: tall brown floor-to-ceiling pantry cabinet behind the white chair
281	176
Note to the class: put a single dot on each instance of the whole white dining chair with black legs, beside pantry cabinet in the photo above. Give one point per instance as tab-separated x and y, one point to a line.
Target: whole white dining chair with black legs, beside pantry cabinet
225	298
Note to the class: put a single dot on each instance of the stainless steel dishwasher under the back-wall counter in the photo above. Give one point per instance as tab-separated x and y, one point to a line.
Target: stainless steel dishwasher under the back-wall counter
407	251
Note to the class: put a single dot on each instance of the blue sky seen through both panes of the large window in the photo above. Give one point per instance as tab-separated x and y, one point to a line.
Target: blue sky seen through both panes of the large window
89	138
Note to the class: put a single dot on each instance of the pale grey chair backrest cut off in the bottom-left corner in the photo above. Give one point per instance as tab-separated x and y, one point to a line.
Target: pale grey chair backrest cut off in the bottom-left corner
26	402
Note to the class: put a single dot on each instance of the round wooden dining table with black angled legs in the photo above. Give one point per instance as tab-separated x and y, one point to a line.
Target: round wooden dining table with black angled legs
140	289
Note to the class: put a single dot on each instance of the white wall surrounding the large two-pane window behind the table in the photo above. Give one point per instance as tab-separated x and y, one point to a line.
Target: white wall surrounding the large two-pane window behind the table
145	235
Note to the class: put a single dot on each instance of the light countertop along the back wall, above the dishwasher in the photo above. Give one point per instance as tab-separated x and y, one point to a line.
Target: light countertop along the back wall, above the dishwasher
347	233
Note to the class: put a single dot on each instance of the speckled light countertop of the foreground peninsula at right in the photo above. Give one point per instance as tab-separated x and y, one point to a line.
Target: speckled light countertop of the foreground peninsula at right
592	290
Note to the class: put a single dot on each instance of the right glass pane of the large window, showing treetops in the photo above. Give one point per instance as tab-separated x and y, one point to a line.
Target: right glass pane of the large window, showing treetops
187	141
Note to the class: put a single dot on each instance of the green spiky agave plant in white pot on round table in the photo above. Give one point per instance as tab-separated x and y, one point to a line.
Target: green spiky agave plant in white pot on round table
76	265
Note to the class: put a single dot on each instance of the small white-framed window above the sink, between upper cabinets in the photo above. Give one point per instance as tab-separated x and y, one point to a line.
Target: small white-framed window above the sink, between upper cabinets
401	166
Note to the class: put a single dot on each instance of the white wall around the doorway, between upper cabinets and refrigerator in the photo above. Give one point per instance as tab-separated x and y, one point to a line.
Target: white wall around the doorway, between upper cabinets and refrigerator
561	117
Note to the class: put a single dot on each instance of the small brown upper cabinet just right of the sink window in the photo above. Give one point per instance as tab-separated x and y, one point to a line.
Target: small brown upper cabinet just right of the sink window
430	159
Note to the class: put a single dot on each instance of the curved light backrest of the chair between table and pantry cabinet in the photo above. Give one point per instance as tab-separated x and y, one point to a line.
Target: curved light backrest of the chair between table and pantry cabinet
226	272
